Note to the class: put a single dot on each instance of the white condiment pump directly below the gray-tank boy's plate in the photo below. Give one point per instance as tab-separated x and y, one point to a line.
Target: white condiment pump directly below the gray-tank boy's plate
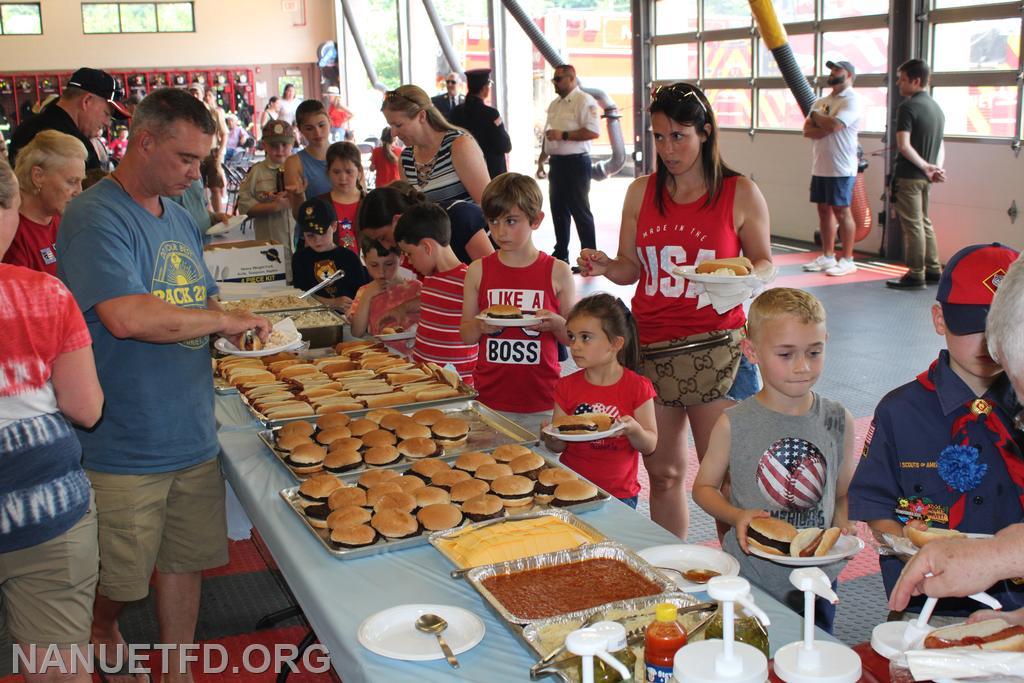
807	661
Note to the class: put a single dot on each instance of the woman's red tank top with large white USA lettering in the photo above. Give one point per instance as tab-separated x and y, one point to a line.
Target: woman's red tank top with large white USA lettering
665	305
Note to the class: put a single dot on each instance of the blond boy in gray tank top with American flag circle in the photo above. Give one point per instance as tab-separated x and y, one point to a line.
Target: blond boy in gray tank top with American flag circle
787	451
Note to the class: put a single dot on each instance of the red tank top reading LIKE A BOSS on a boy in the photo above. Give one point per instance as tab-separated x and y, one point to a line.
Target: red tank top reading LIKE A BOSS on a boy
518	370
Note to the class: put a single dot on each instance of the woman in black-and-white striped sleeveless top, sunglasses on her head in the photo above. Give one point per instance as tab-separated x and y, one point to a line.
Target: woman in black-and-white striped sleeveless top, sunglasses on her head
442	161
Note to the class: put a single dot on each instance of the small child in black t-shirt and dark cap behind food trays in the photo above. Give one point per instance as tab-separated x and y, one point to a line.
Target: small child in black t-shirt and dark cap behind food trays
321	259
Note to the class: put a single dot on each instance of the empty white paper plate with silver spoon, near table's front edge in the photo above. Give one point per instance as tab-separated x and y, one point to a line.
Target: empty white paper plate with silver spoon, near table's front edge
393	633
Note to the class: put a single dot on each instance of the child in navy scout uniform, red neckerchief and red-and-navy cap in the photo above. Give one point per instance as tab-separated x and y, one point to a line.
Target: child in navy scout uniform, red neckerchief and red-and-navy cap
942	450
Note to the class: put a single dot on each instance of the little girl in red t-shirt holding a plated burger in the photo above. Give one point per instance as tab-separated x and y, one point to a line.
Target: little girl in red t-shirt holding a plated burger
604	344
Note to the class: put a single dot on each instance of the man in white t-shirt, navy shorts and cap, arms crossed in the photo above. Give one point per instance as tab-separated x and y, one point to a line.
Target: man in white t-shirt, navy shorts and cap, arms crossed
833	124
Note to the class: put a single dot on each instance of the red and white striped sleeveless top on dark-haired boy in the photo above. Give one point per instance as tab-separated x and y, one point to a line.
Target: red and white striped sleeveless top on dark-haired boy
438	337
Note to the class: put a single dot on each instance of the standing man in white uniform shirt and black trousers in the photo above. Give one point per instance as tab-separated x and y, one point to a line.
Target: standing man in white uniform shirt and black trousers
572	124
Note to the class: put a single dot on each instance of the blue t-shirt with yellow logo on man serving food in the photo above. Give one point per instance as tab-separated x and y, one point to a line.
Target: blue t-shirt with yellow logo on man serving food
159	410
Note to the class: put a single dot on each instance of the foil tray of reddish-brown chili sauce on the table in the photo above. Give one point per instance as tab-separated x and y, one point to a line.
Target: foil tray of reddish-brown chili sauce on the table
567	583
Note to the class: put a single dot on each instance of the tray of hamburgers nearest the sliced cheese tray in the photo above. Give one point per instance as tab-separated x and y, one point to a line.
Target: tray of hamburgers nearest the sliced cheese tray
455	496
